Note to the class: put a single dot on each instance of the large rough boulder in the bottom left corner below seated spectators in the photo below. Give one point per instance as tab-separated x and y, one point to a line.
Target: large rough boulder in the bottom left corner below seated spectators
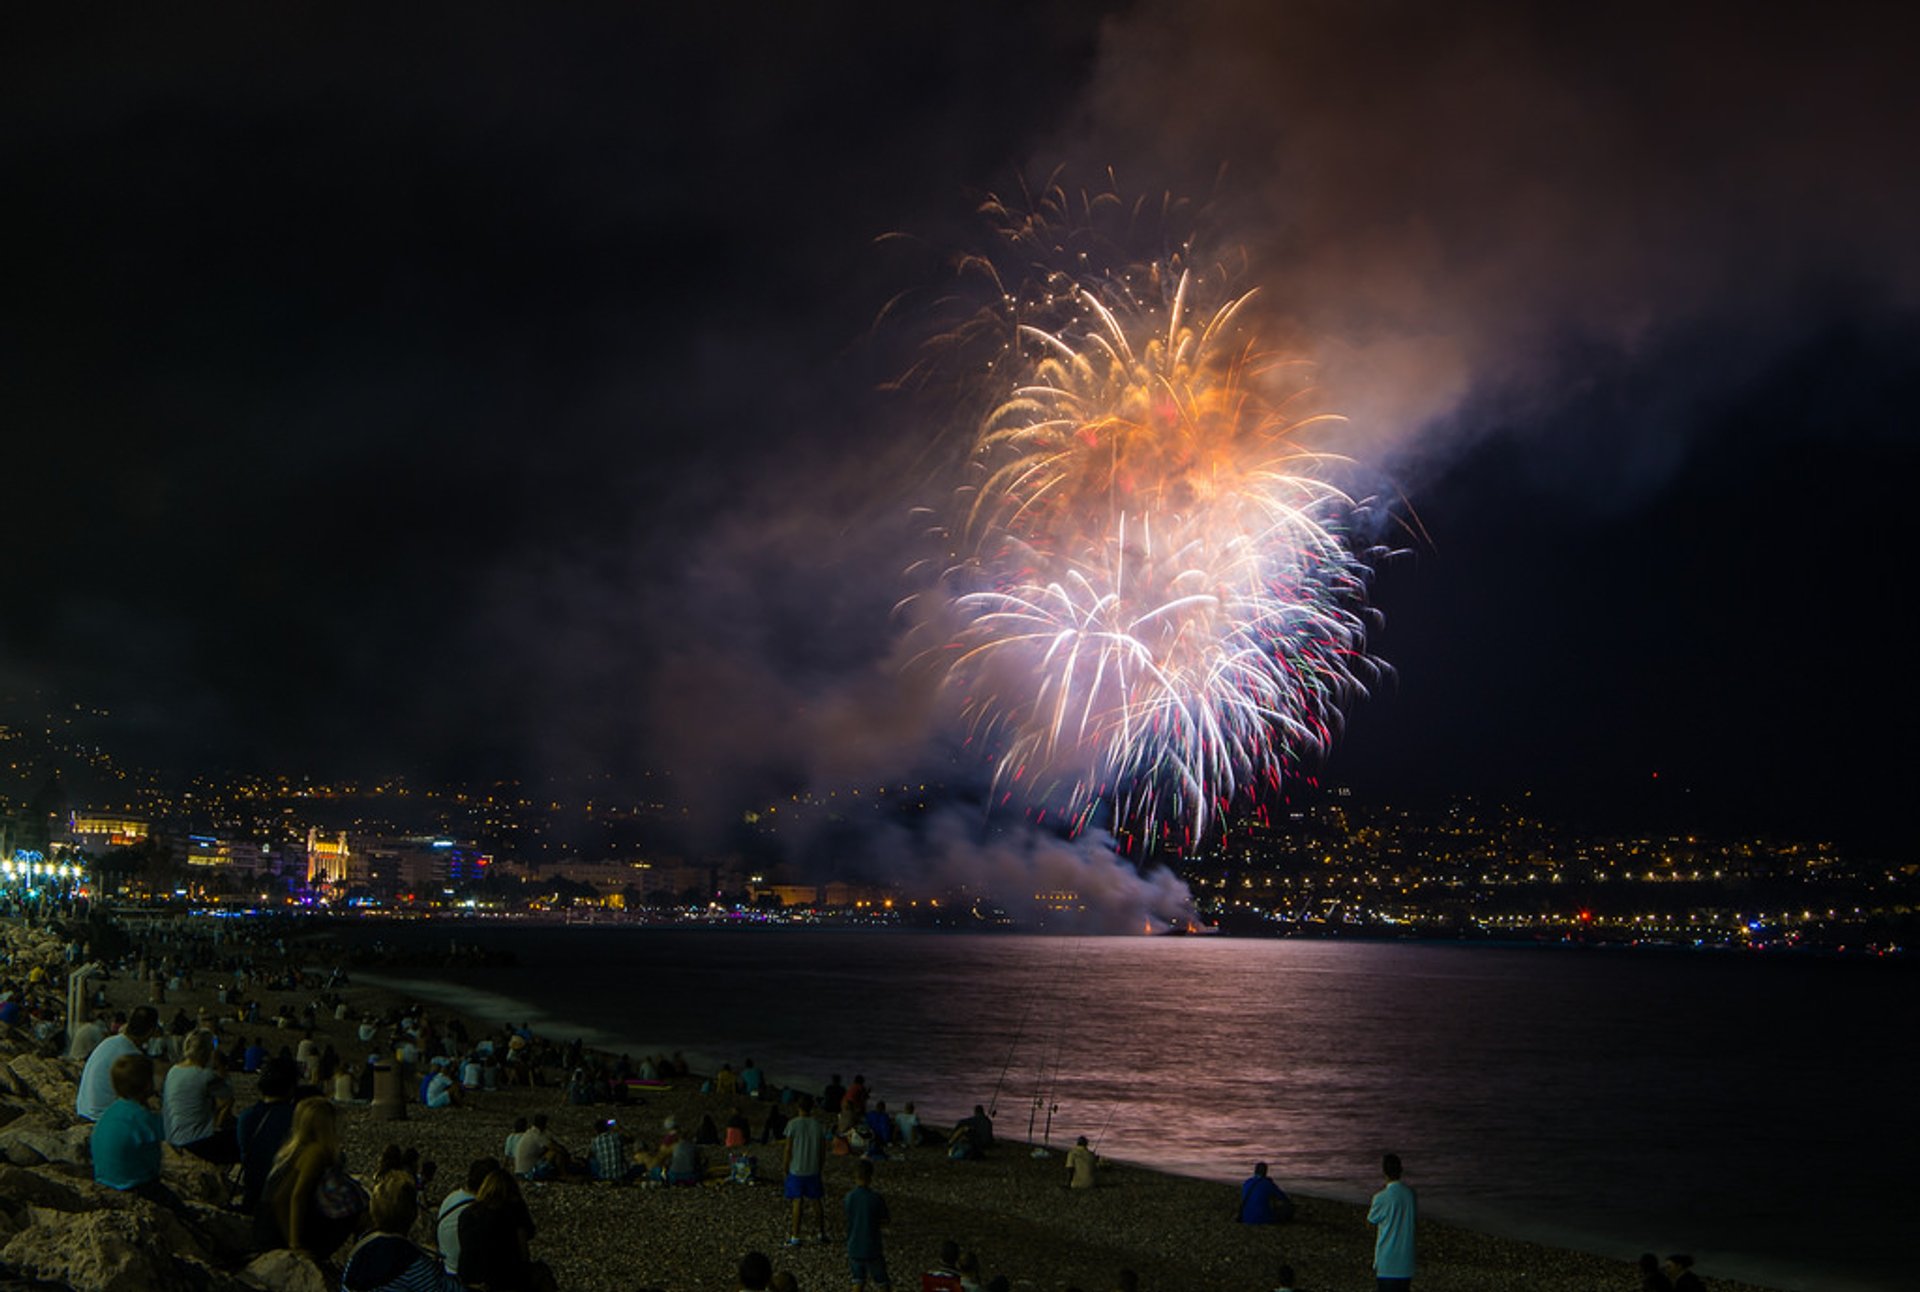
124	1251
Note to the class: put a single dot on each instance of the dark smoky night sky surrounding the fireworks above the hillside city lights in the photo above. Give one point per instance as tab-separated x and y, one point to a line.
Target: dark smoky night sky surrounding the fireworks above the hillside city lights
456	391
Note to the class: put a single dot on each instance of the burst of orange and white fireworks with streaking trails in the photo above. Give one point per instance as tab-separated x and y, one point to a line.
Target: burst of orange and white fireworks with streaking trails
1155	608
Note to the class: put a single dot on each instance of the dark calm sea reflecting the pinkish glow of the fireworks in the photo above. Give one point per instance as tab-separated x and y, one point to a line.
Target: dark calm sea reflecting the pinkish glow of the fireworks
1756	1113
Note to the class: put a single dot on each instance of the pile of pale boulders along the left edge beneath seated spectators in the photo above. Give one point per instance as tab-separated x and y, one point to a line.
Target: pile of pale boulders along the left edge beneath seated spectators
62	1230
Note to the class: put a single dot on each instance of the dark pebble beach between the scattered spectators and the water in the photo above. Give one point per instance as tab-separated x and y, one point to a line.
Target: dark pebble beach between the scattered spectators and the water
1011	1208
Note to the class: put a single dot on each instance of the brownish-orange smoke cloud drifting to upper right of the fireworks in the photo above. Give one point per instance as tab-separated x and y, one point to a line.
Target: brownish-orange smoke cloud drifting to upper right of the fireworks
1466	208
